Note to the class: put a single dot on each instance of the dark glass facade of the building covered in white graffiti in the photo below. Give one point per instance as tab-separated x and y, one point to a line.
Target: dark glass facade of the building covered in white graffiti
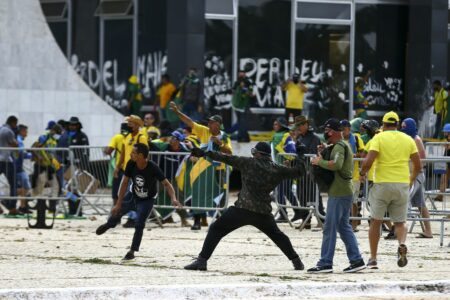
322	55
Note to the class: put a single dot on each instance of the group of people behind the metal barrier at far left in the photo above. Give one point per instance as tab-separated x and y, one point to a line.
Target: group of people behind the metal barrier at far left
50	168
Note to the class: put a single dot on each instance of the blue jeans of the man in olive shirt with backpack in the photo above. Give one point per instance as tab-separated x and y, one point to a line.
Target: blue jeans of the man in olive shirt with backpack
337	220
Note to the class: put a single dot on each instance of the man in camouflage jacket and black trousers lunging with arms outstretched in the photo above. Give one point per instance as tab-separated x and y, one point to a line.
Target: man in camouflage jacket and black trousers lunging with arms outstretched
259	175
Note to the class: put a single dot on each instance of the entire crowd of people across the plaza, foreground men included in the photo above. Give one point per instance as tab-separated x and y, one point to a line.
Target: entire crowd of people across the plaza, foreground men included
391	167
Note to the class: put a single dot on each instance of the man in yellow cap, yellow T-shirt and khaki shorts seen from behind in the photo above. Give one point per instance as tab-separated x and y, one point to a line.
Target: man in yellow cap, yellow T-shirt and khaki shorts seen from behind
392	179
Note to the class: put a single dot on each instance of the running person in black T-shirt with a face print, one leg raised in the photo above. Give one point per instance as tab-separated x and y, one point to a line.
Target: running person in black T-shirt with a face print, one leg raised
144	174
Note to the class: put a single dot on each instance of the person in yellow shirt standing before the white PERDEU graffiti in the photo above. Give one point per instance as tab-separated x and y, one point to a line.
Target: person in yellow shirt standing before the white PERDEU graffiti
295	94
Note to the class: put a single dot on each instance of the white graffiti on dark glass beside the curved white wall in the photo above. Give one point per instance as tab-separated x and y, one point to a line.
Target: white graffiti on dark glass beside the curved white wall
150	67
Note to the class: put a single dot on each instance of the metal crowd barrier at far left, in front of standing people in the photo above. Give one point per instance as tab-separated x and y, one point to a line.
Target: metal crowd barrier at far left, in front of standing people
36	174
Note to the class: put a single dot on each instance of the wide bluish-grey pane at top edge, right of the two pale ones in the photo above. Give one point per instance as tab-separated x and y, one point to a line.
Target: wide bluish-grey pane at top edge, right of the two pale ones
323	10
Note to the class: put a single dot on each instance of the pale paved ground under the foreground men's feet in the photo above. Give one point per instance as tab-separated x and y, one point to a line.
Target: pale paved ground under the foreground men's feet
71	255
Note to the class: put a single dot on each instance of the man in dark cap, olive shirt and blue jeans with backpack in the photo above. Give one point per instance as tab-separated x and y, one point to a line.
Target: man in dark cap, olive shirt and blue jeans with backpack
340	197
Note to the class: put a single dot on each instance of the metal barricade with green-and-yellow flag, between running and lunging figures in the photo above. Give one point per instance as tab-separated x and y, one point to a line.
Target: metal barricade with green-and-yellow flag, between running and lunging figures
200	184
